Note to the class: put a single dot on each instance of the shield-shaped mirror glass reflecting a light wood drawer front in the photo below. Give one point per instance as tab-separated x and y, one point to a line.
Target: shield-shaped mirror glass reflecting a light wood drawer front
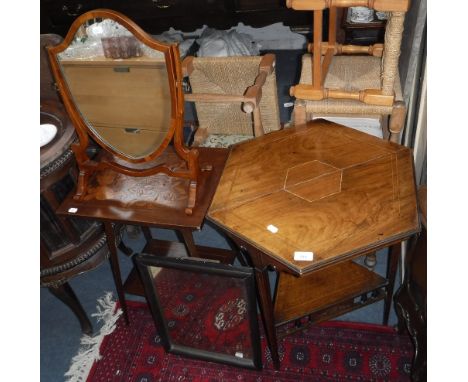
120	86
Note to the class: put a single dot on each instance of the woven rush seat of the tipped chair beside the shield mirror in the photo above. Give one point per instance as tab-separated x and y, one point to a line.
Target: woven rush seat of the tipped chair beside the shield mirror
219	85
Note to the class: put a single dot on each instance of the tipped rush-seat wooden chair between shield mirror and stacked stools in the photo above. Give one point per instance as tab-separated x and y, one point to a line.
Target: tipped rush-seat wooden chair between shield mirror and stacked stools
235	98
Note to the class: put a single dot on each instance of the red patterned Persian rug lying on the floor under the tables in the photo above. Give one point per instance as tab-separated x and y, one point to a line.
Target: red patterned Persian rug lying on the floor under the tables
331	351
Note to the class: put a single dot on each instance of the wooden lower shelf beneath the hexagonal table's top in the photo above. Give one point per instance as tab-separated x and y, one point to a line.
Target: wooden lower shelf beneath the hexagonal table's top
326	293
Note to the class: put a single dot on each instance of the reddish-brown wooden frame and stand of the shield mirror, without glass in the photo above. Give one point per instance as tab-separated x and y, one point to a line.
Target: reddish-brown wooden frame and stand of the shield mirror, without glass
86	165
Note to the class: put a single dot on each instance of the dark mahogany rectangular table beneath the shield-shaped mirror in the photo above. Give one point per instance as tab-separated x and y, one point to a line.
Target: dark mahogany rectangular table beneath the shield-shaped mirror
153	201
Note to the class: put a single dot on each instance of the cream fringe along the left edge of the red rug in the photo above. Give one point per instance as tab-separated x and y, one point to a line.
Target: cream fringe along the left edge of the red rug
89	348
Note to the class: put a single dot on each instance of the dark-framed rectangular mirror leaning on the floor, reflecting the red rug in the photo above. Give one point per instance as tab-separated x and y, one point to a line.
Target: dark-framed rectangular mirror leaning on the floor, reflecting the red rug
203	309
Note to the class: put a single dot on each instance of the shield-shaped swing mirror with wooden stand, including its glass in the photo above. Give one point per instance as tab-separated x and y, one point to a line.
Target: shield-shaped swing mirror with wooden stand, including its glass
123	89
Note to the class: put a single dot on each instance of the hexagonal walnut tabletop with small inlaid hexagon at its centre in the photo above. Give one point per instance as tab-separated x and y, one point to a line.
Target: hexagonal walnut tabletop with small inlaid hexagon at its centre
326	188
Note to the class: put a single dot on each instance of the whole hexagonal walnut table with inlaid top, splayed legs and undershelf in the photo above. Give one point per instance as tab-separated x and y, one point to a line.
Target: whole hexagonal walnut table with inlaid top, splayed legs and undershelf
305	202
